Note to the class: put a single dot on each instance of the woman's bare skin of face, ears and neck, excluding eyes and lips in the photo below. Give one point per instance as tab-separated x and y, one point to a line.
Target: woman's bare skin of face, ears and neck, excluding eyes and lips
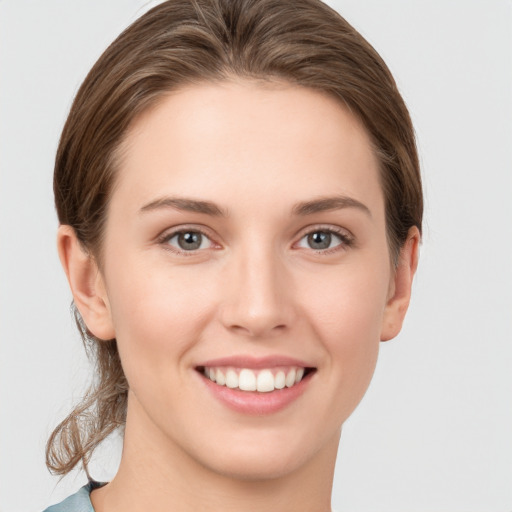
255	287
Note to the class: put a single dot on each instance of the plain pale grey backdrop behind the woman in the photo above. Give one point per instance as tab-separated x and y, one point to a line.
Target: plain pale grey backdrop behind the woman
434	432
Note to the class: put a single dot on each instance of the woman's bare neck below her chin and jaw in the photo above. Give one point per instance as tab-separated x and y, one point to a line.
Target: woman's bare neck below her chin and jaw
157	474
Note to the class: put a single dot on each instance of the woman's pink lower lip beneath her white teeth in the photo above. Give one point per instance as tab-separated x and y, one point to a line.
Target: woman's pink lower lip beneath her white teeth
254	403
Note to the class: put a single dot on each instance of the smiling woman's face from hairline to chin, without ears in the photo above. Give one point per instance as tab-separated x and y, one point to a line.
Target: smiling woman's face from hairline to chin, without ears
246	239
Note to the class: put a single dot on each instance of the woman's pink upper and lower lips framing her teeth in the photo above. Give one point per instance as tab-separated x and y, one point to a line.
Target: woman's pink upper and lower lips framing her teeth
252	402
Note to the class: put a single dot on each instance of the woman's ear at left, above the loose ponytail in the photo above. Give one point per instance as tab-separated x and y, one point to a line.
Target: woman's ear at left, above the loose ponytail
86	283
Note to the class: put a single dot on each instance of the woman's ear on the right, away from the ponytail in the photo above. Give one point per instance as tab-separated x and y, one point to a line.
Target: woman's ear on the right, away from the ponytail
400	286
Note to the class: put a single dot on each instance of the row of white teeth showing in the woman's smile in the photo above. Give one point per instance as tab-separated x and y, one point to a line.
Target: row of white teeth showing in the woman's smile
263	381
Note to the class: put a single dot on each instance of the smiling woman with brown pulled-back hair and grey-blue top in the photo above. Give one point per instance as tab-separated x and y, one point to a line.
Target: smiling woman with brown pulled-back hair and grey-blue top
240	205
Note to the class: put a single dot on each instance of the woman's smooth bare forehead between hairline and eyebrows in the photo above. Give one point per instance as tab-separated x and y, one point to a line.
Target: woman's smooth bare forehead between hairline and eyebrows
248	138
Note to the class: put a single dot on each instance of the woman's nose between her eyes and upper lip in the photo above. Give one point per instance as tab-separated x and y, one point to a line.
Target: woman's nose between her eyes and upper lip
258	295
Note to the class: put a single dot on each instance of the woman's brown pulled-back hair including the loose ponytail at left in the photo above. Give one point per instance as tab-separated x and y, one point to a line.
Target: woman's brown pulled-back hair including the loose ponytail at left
182	42
